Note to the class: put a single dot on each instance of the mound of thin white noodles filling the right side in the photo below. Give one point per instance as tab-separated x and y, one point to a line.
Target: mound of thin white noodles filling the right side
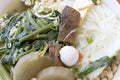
103	26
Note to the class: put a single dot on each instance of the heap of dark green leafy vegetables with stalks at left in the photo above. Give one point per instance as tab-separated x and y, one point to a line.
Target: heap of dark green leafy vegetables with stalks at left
26	33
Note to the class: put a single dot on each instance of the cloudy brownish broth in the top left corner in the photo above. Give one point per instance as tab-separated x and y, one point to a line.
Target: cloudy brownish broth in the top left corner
11	5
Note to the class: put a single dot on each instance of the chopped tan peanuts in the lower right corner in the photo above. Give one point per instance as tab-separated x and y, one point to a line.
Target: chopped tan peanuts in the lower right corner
110	71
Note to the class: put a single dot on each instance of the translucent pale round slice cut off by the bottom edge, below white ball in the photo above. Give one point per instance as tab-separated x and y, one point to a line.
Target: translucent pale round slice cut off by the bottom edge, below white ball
56	73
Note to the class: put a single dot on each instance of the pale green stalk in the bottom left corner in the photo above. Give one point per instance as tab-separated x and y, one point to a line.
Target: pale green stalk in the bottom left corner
4	74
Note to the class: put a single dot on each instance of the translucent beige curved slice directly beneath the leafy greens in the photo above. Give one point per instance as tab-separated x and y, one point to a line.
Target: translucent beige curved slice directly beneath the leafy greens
30	65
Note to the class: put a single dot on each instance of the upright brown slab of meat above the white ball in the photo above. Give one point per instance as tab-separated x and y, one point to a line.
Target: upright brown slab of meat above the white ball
70	19
